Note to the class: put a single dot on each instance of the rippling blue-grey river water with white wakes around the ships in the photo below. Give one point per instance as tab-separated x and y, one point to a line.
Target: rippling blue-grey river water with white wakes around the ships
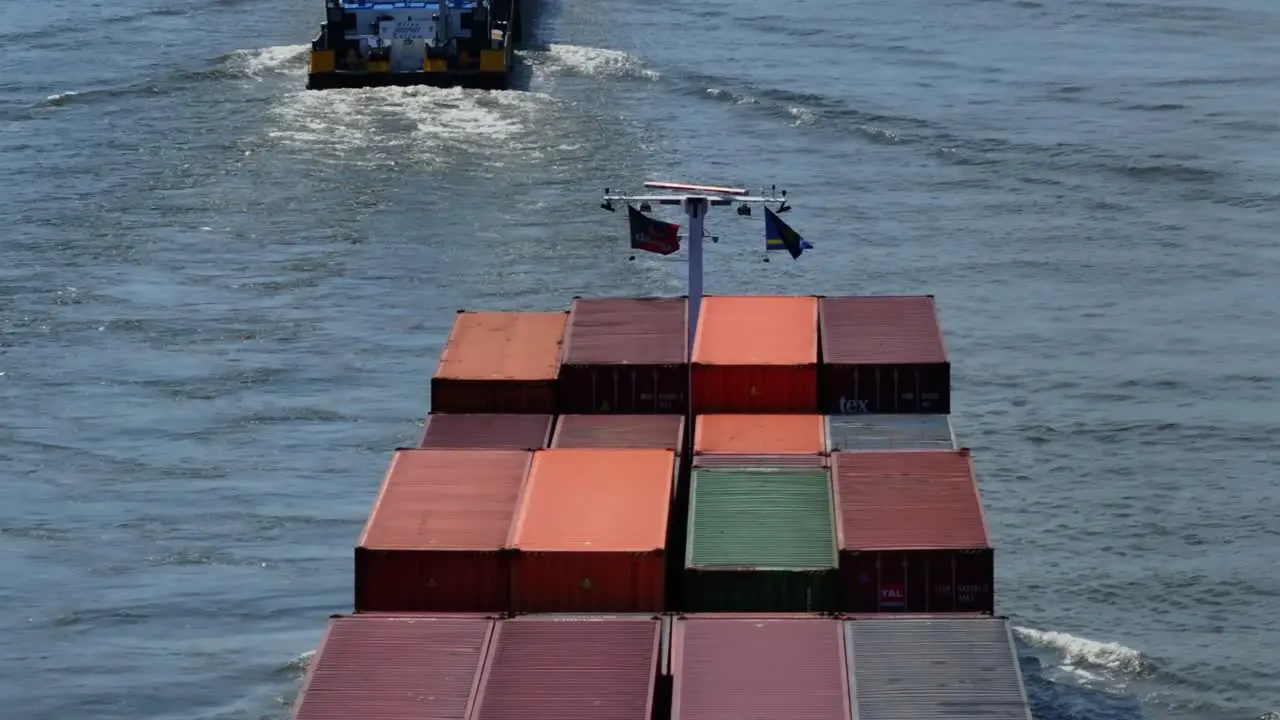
222	298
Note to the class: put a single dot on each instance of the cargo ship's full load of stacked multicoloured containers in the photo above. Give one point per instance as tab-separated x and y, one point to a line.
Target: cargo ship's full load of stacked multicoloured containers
633	509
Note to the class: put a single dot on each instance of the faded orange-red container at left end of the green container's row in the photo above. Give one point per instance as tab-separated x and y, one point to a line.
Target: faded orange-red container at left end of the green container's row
437	535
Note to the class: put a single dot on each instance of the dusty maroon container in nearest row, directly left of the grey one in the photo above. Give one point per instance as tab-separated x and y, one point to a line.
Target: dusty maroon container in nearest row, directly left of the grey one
760	668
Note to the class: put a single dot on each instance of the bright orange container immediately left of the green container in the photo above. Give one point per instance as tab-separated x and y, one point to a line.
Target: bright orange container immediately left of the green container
592	532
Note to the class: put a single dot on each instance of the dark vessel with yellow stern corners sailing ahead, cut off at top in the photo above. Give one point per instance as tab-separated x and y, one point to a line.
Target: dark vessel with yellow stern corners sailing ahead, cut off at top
438	44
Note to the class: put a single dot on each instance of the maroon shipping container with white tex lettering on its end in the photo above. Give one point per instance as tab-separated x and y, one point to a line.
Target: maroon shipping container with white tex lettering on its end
883	356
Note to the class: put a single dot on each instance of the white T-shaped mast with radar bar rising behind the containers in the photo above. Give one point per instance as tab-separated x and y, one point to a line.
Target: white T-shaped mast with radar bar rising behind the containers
697	200
